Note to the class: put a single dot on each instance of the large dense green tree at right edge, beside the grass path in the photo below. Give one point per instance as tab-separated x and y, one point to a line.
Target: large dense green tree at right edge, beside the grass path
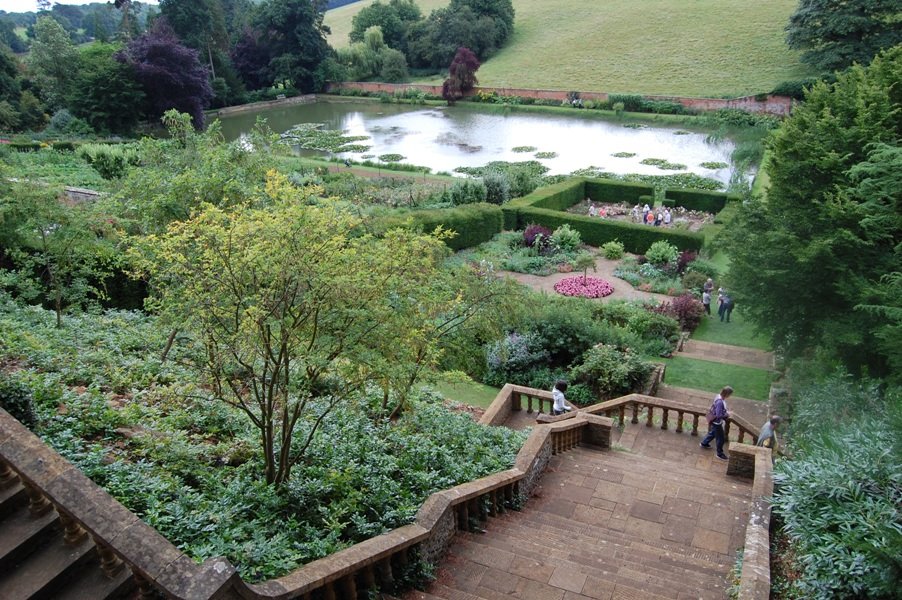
828	233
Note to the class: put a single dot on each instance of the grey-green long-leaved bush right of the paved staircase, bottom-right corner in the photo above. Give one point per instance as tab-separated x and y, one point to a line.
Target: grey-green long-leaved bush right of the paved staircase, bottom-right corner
839	498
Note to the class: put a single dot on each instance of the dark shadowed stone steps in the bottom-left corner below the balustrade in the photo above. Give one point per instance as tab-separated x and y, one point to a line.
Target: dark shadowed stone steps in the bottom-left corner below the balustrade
37	561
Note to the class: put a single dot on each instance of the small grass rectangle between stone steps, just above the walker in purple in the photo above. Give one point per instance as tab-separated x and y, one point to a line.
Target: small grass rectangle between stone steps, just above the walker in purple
747	382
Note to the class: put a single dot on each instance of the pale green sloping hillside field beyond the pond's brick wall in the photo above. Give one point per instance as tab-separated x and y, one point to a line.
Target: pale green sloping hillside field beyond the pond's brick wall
692	48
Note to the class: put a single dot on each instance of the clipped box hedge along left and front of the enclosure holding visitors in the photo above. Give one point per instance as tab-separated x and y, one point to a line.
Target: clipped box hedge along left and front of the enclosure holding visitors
546	206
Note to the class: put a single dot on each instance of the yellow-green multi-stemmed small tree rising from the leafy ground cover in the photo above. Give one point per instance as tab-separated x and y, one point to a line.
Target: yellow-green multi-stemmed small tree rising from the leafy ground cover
296	306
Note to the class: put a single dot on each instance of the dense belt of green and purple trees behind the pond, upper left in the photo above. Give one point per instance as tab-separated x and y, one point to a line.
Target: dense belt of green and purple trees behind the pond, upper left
104	67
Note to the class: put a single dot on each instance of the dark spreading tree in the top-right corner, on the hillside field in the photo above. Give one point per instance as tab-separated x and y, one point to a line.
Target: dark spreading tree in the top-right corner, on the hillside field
835	33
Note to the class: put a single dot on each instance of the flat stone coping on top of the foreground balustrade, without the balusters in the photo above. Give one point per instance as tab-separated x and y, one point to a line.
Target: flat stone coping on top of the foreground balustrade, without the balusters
150	555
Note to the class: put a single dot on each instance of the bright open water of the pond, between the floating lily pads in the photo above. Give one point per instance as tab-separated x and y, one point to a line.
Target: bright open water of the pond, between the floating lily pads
444	138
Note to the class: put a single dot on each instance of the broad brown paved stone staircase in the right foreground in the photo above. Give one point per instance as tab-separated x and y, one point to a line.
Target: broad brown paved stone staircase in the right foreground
656	518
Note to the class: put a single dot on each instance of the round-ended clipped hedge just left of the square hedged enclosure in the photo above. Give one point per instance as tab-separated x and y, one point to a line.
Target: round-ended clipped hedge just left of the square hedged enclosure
474	223
